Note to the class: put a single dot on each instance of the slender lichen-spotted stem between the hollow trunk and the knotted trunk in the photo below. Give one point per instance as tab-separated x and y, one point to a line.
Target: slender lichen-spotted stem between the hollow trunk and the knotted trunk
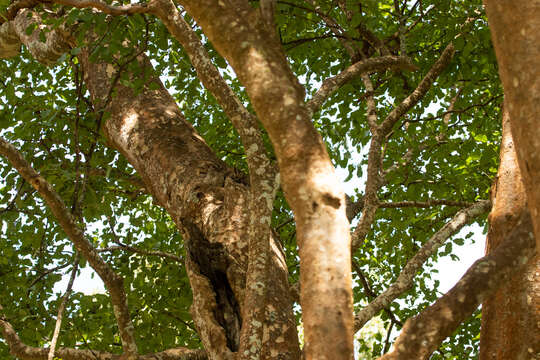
261	171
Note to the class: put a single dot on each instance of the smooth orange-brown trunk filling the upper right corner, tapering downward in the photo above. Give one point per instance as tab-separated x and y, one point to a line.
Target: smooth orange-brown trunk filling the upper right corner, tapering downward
515	29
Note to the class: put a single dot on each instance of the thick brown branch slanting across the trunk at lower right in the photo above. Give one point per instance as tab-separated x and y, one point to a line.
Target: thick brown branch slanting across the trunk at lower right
421	335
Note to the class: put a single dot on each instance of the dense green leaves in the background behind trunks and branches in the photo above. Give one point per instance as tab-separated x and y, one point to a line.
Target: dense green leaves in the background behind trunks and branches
46	112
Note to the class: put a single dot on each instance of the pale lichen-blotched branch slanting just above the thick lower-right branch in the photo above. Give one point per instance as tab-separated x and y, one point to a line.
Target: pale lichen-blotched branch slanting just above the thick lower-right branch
406	277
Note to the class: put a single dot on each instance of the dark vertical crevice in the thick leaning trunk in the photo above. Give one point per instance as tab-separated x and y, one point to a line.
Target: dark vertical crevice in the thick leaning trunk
213	263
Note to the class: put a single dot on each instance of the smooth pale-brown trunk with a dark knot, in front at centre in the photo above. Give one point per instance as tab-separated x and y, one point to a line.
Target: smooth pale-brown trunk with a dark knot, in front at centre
240	34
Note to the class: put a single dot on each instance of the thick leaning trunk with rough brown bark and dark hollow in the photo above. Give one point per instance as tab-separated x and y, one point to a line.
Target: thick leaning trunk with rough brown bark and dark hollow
207	200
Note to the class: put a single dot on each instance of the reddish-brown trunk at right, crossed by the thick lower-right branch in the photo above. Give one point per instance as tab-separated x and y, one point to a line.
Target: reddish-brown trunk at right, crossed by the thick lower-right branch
511	317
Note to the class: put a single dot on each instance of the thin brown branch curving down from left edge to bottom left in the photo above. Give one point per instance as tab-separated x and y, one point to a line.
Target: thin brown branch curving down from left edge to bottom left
113	282
